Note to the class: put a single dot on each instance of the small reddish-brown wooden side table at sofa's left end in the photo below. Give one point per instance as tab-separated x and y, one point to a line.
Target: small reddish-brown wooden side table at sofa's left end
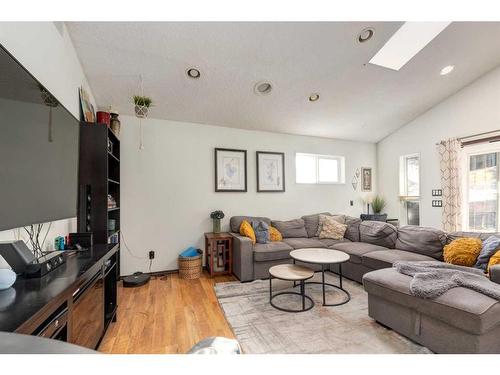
219	250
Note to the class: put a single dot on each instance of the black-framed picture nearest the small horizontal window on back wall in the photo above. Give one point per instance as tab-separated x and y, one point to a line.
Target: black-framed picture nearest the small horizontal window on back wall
270	172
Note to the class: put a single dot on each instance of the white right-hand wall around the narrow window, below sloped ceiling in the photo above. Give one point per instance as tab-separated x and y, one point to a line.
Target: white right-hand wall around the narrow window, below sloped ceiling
474	109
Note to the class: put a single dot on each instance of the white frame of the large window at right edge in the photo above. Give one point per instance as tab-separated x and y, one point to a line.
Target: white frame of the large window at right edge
466	153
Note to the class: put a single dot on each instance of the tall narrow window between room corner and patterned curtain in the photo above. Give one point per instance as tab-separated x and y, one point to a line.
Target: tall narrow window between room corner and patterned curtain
409	187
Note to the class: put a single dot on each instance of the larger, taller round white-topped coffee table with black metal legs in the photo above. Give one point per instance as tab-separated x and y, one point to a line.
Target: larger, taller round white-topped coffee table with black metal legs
323	257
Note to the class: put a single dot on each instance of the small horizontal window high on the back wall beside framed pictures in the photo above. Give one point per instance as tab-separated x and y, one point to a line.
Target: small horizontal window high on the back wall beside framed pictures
319	169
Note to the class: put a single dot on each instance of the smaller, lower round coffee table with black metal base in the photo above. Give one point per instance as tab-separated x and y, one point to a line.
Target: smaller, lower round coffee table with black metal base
295	273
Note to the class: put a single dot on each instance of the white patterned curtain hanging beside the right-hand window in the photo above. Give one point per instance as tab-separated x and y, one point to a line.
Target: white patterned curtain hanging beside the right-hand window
450	155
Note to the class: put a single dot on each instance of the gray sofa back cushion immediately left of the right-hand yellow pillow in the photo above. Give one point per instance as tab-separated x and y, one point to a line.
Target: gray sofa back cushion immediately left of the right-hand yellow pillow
421	240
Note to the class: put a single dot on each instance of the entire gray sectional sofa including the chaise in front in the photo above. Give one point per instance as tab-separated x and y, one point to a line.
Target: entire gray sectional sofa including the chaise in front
459	321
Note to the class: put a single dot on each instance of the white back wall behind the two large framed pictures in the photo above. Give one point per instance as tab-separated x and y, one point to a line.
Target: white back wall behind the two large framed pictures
168	188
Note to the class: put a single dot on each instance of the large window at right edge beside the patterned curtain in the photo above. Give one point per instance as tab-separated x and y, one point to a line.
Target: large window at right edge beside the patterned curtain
481	190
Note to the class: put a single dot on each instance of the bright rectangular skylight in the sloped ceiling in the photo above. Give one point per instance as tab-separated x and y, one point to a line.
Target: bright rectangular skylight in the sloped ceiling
409	40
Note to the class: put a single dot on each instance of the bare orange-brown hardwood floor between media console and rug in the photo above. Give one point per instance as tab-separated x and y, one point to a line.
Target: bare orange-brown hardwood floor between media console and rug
168	315
